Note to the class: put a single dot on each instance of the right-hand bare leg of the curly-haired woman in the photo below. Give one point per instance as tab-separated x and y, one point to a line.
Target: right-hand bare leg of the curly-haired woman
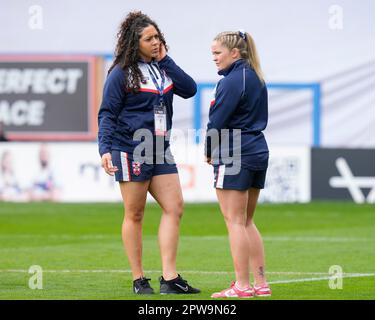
167	192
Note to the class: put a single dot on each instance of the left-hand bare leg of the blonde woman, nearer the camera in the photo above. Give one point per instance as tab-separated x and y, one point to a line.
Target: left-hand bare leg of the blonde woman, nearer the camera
233	205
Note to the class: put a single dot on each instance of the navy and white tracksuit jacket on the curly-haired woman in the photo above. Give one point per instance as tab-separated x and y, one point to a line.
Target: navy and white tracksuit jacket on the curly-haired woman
122	113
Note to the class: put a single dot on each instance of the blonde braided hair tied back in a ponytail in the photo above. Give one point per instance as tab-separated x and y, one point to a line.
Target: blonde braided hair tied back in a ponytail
246	46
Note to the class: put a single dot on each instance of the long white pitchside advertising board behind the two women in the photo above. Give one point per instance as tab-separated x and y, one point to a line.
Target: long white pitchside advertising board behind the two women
72	172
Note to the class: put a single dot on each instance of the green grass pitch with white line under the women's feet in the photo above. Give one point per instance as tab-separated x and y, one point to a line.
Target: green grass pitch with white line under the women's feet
79	249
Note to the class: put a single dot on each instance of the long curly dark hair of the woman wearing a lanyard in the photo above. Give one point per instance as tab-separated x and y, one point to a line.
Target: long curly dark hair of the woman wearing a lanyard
127	48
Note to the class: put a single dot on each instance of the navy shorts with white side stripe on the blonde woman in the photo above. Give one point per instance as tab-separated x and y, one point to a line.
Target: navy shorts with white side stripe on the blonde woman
244	180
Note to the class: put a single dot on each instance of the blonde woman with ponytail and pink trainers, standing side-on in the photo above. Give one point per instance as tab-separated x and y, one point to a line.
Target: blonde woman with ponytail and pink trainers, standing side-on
240	103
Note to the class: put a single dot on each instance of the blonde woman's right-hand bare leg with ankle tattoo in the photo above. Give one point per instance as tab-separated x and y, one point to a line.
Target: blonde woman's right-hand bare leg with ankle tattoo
257	263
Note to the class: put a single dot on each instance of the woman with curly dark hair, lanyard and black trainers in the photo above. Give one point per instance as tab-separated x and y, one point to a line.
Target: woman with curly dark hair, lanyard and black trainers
134	120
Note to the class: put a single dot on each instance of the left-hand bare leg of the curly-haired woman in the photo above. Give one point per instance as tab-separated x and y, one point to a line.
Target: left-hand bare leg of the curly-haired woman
134	196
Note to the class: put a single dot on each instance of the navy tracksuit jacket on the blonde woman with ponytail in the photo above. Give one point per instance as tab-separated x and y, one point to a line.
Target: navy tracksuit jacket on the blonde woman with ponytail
241	102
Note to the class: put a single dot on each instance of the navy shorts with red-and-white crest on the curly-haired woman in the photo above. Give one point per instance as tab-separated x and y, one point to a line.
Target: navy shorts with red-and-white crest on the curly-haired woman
130	170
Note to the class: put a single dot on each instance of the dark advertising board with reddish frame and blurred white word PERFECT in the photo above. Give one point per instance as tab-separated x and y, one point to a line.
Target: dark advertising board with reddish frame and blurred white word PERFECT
48	97
